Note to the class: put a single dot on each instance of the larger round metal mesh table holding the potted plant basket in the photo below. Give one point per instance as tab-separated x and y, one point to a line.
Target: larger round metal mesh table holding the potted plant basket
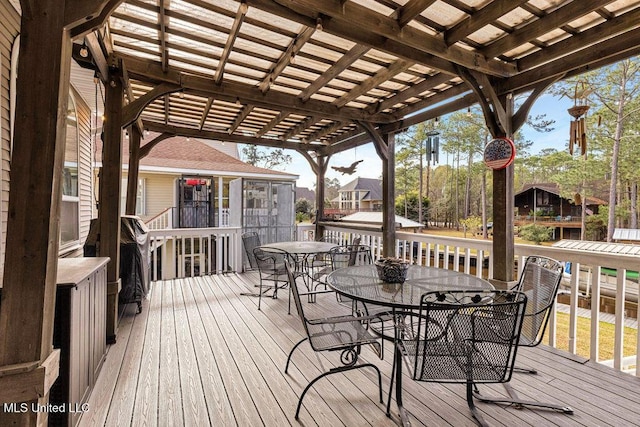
361	283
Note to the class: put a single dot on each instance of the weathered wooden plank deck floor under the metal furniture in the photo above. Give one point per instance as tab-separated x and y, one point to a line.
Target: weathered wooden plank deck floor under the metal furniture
202	354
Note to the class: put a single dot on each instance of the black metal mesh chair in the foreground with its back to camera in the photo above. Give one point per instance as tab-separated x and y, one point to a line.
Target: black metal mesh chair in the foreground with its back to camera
467	337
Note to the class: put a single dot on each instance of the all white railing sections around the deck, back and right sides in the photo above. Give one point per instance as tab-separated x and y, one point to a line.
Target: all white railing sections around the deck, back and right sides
190	252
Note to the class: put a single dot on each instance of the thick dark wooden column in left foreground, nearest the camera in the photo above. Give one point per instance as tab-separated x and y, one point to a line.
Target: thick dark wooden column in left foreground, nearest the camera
28	364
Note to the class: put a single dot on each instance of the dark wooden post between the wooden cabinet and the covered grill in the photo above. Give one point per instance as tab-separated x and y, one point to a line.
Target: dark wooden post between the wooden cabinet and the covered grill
110	182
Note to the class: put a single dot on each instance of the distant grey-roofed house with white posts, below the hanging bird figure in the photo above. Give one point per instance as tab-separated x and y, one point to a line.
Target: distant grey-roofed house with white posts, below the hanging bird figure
361	194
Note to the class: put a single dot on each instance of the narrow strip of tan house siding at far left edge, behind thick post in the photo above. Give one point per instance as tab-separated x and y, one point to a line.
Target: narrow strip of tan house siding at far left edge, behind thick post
9	28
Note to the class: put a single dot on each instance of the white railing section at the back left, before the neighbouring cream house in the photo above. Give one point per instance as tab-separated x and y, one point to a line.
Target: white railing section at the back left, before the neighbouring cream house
190	252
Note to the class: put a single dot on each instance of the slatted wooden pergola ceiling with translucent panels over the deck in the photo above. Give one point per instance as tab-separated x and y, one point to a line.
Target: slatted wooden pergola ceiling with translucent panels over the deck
304	73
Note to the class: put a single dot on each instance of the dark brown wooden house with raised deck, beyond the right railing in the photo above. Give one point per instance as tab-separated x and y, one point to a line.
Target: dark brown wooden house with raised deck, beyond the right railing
542	204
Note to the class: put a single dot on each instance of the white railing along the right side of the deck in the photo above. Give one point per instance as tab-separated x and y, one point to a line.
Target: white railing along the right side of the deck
585	280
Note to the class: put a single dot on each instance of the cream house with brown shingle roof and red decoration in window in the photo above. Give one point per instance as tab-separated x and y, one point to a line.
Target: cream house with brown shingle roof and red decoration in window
188	180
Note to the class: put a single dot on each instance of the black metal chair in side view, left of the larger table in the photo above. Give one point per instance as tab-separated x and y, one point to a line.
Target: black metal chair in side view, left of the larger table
343	334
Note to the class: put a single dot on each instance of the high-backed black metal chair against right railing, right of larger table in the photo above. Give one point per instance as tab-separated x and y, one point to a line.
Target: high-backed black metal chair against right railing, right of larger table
540	280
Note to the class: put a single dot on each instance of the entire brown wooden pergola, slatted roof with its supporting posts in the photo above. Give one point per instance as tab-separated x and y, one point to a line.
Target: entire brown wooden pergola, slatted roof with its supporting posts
318	77
